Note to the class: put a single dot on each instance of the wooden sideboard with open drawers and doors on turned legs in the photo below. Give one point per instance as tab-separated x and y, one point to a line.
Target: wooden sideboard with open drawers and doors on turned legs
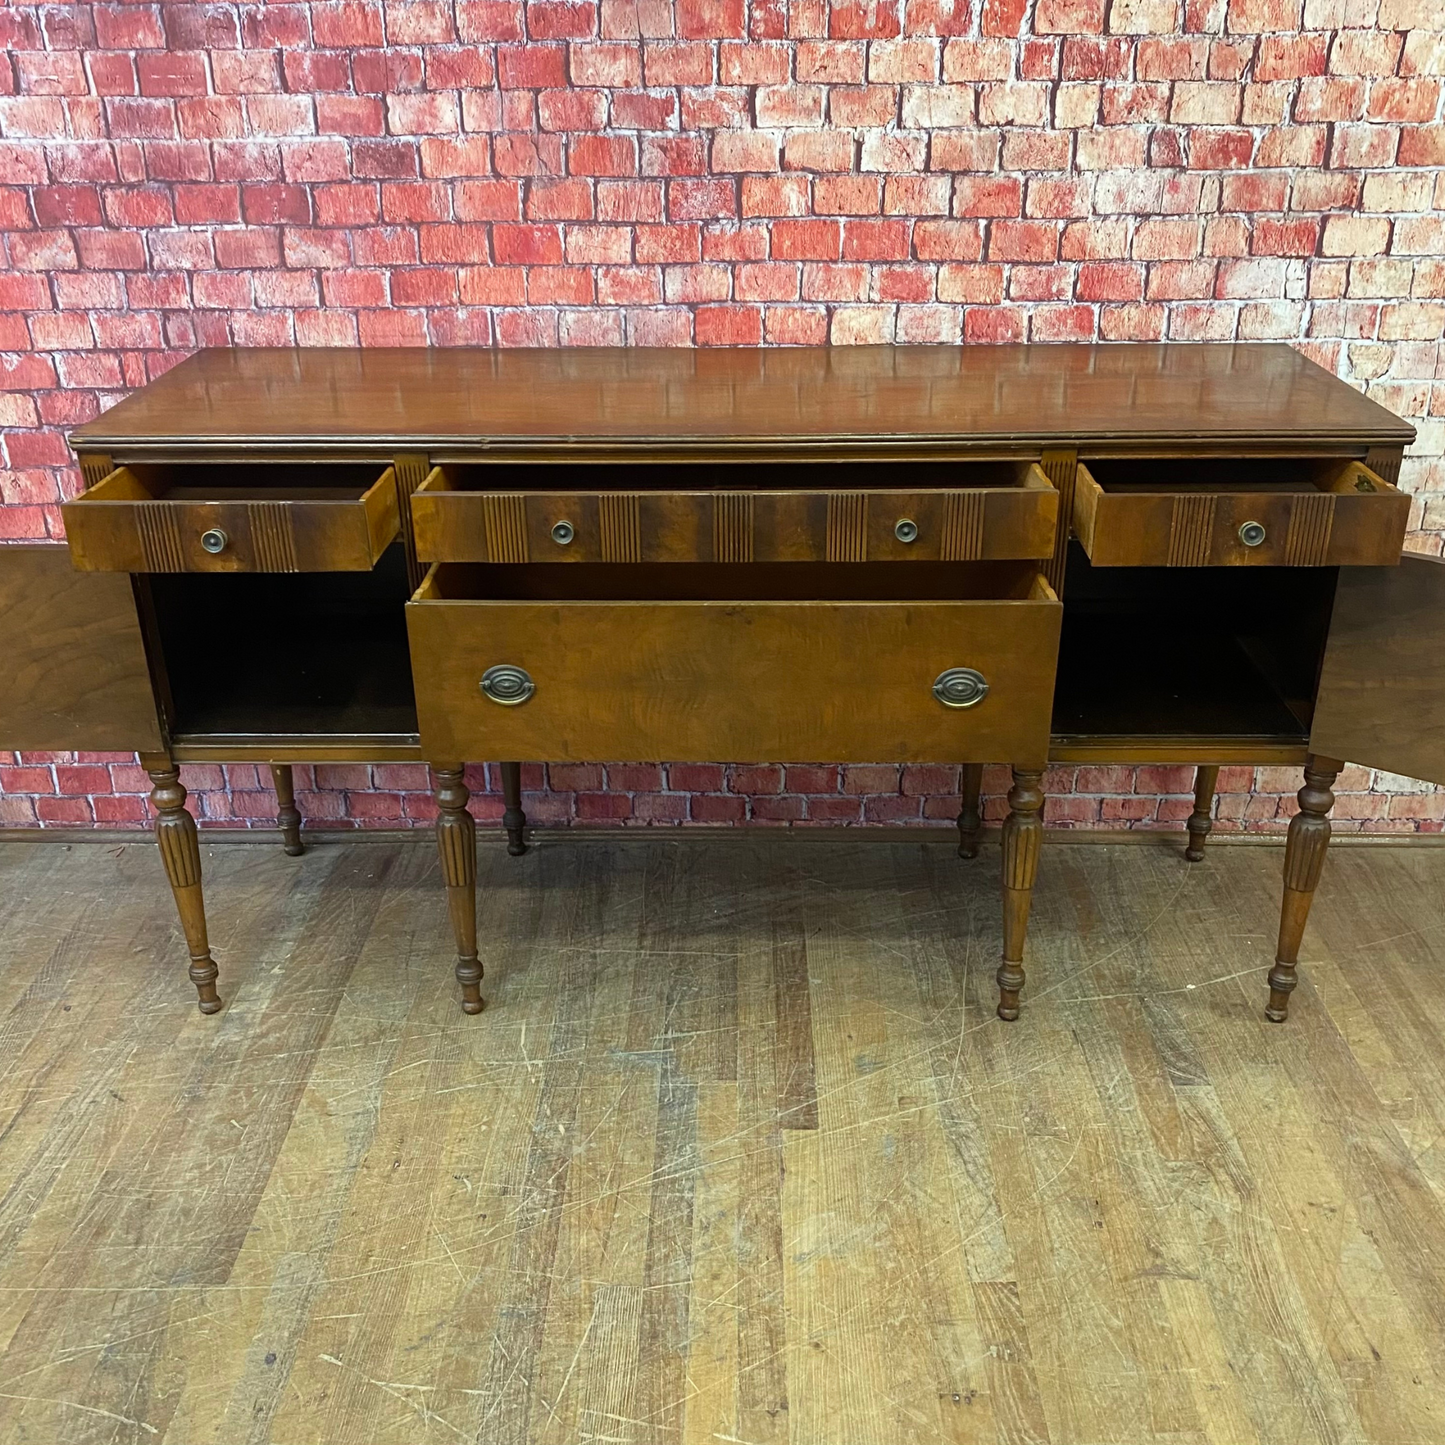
1170	554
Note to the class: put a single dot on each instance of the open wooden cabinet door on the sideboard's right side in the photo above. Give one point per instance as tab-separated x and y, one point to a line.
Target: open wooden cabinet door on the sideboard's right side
1382	690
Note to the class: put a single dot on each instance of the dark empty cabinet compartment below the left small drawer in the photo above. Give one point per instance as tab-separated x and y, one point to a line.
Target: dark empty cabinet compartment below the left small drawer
287	655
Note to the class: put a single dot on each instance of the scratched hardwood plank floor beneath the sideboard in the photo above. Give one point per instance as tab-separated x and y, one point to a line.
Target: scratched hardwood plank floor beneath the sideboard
739	1151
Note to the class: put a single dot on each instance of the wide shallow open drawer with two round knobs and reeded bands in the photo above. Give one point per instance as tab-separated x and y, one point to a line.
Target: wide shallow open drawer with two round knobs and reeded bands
806	512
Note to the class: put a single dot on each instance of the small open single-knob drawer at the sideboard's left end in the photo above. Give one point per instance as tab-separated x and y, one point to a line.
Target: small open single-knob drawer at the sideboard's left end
285	518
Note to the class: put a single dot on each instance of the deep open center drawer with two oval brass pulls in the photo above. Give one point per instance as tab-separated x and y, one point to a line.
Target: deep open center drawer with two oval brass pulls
762	663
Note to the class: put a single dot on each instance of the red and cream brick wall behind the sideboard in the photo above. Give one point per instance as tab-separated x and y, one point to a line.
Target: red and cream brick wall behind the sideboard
706	173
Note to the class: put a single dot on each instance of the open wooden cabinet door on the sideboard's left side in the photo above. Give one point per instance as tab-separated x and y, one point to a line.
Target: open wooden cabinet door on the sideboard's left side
73	664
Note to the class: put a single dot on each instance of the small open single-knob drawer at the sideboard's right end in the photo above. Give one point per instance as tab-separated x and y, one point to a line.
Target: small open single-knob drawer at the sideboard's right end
1228	512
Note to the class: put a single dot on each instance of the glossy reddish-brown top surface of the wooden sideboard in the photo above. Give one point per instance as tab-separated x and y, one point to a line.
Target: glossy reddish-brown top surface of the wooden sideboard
271	401
